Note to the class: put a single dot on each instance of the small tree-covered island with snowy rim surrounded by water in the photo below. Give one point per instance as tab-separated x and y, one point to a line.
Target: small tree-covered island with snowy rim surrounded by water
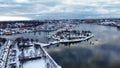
66	36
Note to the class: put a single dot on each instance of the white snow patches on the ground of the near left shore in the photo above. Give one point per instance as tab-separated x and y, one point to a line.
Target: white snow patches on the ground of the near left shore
38	63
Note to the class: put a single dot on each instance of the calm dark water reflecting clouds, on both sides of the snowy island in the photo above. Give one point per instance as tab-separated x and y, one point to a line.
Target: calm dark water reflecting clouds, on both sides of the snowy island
102	51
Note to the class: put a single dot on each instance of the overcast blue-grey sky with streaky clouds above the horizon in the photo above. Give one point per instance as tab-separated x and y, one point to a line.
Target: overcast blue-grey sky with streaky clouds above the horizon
60	9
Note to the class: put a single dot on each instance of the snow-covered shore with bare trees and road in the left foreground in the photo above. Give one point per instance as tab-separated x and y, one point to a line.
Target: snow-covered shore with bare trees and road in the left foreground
17	57
